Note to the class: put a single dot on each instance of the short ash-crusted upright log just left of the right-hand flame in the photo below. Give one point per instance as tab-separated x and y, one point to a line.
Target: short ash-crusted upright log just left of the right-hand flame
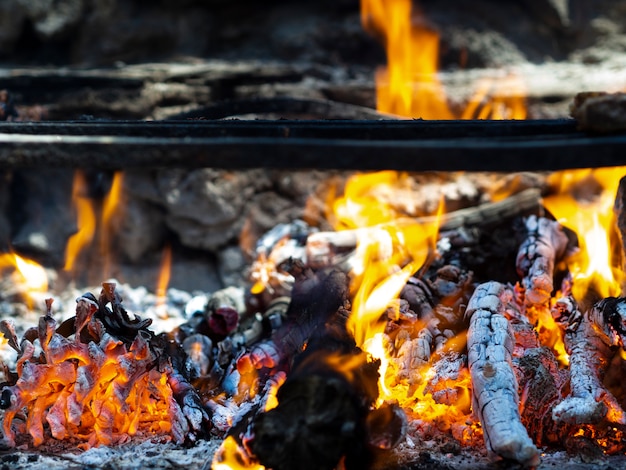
545	244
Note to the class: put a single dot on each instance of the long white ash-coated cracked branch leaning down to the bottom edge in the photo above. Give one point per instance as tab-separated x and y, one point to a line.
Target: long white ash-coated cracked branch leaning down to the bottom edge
490	345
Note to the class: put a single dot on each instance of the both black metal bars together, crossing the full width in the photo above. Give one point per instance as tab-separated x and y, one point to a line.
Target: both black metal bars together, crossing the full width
348	145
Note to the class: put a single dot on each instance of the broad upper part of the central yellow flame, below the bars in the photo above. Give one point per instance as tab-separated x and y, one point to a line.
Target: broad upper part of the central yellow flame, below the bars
390	248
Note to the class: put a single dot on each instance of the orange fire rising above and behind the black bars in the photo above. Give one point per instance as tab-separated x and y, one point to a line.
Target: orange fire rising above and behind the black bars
409	86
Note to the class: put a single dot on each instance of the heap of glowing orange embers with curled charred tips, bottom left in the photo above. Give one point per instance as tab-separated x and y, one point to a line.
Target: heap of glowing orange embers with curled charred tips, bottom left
111	381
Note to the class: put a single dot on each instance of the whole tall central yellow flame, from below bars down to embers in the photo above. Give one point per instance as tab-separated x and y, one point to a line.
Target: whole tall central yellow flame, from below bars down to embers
390	249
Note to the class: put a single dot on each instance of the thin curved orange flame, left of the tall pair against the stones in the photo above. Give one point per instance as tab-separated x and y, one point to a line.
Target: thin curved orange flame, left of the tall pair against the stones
86	221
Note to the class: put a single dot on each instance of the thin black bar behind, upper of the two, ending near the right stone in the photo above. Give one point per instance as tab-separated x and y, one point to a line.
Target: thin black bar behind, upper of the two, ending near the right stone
326	129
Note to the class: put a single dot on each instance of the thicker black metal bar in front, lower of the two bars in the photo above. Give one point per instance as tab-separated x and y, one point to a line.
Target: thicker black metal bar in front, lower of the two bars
509	153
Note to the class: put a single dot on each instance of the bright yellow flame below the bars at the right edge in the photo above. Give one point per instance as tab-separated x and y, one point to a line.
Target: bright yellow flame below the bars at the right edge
594	270
